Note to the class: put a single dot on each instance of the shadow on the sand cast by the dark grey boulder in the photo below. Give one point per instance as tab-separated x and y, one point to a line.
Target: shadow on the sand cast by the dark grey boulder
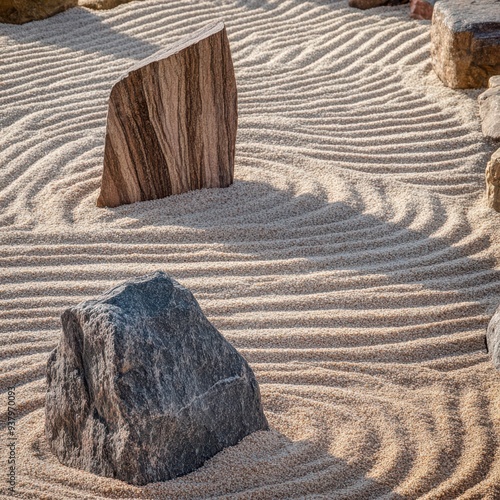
270	465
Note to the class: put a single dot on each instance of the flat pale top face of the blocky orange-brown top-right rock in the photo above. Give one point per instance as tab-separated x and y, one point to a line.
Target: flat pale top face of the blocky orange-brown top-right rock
464	15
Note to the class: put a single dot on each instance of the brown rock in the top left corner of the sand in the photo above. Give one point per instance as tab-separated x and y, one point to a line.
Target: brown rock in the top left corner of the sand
23	11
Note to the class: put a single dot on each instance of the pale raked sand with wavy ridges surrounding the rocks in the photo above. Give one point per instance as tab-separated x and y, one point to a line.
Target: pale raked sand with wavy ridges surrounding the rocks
352	262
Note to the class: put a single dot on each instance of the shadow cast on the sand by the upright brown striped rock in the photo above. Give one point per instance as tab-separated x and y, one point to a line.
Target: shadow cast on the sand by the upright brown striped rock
260	220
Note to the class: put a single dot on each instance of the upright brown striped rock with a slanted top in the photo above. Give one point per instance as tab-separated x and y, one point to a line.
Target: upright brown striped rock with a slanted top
172	122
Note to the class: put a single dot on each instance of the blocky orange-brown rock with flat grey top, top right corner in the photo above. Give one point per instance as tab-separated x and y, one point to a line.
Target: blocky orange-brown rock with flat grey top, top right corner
465	42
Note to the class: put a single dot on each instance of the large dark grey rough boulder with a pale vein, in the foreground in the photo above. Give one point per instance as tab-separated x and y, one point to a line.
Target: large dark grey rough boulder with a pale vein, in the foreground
143	388
